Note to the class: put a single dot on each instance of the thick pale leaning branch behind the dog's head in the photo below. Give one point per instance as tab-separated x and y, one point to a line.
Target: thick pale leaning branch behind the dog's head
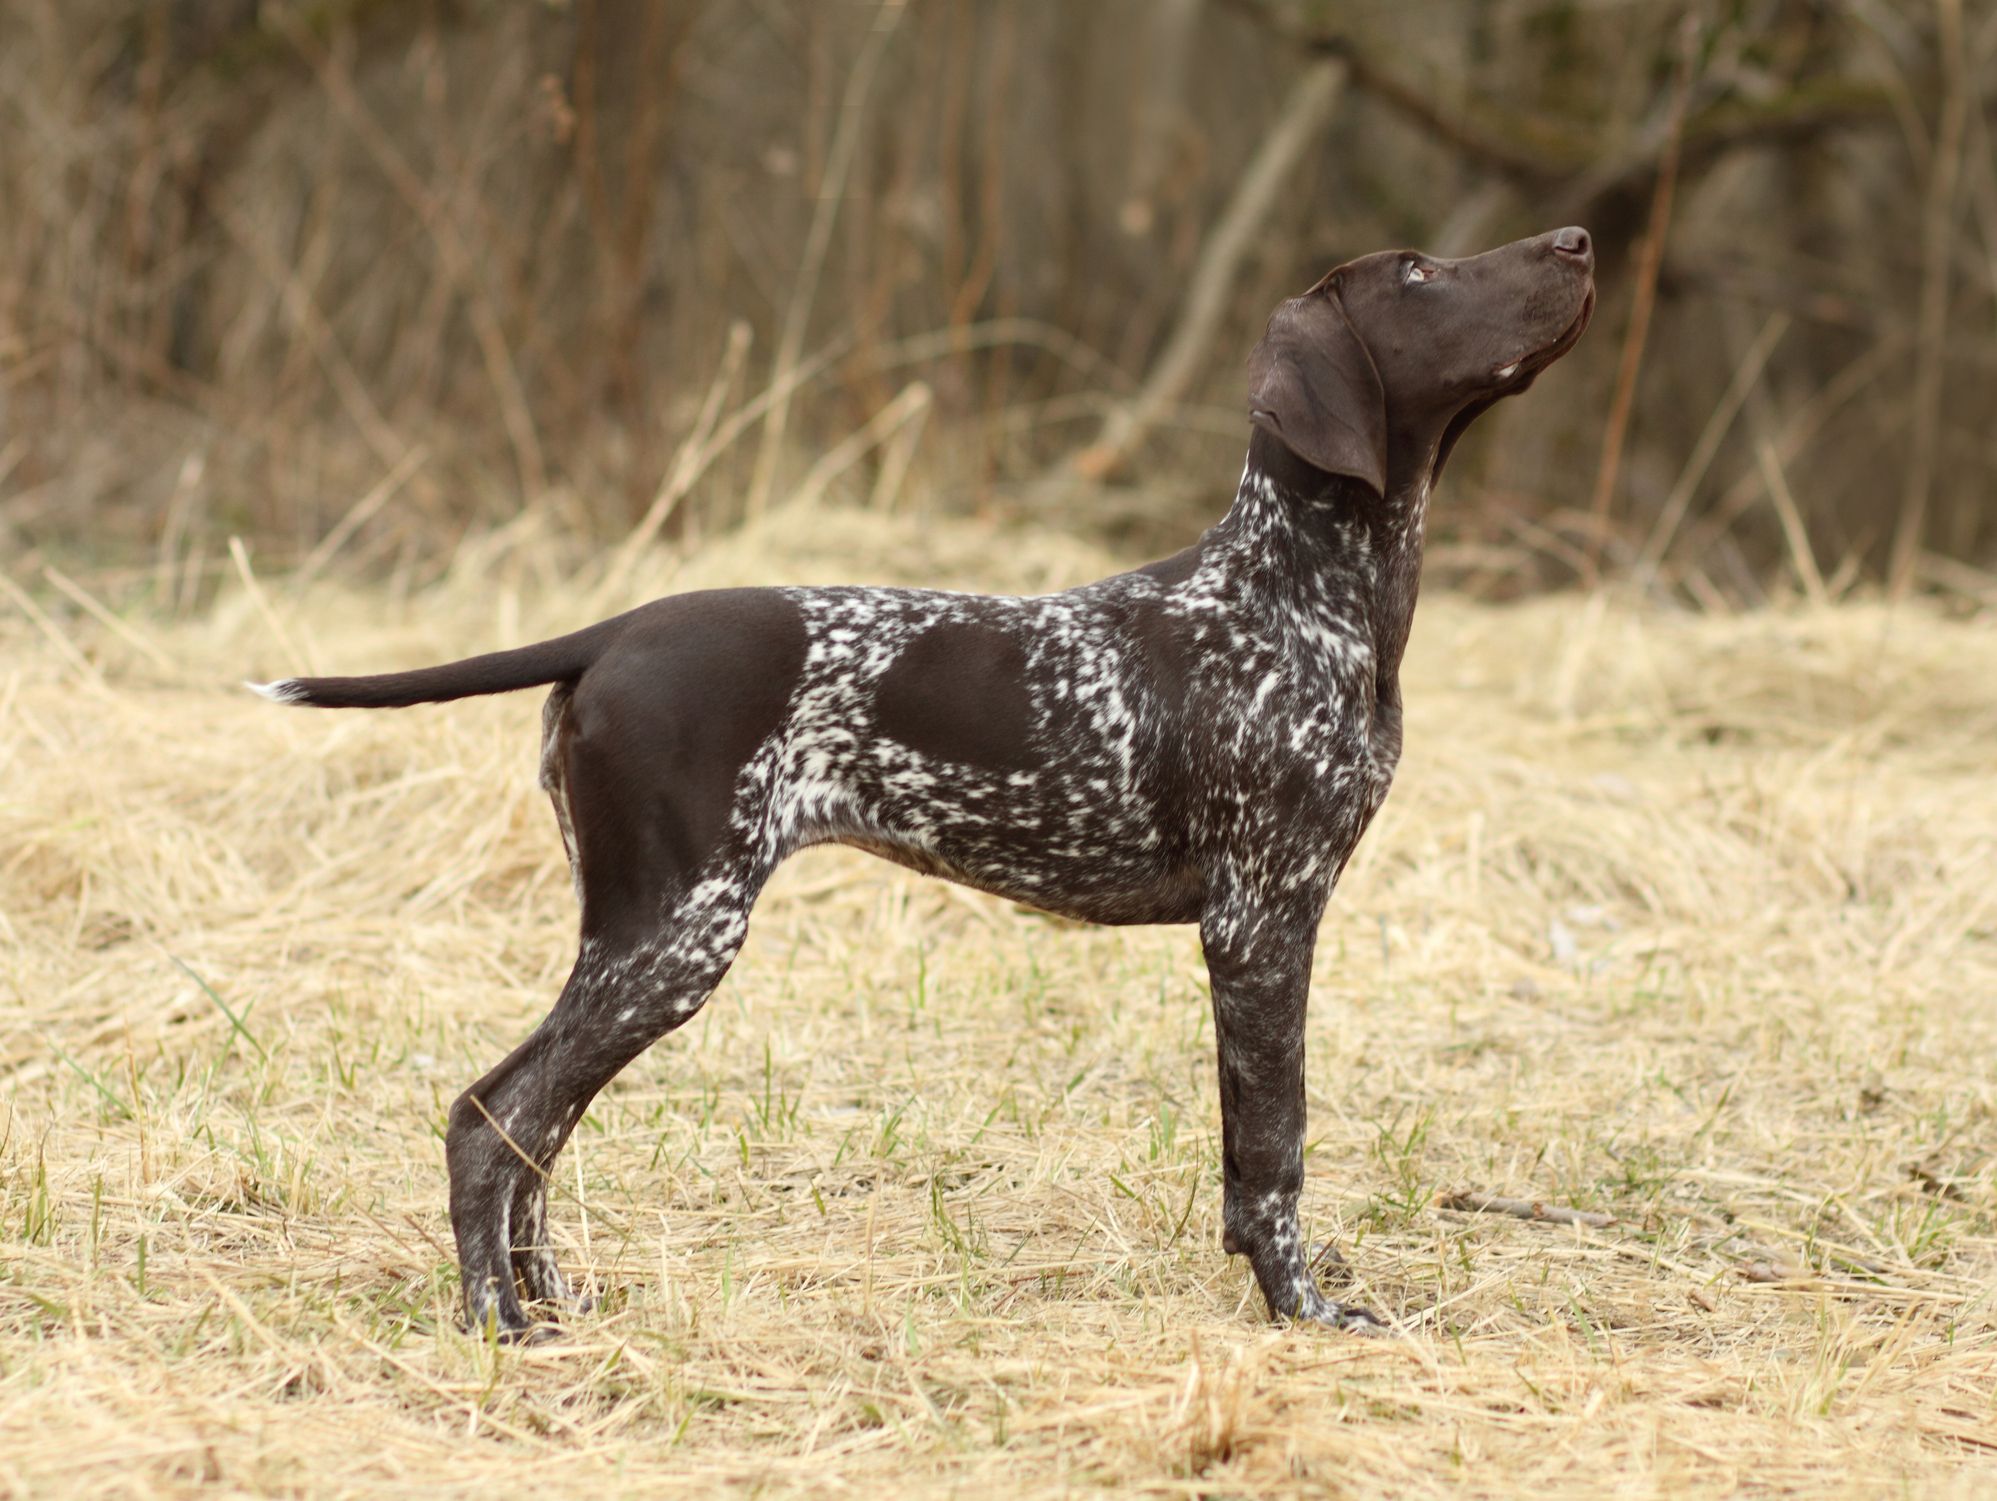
1207	294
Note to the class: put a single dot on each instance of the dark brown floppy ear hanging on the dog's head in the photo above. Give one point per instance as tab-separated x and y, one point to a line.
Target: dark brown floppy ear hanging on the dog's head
1315	388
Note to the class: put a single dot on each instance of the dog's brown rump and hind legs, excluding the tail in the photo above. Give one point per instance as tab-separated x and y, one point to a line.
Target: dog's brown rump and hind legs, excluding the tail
650	765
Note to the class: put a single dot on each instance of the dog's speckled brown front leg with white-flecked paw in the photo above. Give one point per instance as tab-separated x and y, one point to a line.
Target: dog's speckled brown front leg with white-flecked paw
1259	963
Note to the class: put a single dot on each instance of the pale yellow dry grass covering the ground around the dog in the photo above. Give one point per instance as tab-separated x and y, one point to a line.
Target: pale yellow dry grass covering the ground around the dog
1686	921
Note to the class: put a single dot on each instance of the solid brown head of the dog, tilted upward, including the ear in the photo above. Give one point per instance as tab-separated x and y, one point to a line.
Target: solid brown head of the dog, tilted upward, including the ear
1401	352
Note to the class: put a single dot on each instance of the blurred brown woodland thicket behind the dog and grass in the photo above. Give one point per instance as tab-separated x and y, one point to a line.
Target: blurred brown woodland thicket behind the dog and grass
404	268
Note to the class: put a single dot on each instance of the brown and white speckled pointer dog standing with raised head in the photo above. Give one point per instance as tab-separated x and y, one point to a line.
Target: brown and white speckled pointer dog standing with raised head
1199	742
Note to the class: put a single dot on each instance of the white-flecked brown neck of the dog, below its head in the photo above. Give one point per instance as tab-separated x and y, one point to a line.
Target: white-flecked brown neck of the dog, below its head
1325	544
